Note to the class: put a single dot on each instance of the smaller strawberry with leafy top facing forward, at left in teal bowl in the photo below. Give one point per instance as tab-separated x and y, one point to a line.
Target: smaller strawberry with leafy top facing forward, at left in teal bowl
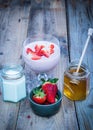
39	96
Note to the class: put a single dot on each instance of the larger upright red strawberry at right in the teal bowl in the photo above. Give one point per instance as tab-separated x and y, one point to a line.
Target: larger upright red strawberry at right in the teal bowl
50	88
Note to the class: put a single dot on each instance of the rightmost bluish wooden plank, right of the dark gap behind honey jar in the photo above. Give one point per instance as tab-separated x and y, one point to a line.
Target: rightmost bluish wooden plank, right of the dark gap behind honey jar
80	18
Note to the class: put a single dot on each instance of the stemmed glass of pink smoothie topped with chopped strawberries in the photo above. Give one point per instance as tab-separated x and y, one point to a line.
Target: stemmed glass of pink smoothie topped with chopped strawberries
41	53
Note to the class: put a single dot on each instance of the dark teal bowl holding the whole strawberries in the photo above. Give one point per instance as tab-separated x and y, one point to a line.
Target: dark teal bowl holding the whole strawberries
45	110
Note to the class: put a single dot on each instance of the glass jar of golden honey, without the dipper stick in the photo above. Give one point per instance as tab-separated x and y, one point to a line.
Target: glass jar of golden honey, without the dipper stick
76	84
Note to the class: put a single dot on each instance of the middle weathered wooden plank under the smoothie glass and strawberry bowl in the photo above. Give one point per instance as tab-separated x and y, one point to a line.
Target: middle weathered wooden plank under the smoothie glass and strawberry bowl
49	19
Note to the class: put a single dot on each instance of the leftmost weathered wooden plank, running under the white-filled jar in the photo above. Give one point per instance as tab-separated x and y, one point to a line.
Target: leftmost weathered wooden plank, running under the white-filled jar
13	30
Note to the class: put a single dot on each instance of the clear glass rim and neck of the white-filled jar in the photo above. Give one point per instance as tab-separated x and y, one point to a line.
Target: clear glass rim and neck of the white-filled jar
12	71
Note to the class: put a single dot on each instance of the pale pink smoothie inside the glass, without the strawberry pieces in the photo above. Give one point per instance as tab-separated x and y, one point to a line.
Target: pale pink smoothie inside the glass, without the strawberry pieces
44	64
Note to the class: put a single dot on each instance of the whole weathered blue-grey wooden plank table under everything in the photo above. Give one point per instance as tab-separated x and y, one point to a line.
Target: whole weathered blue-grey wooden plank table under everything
69	21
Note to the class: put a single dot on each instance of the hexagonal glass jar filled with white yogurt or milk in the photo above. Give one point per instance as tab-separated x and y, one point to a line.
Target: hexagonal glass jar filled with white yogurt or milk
13	83
